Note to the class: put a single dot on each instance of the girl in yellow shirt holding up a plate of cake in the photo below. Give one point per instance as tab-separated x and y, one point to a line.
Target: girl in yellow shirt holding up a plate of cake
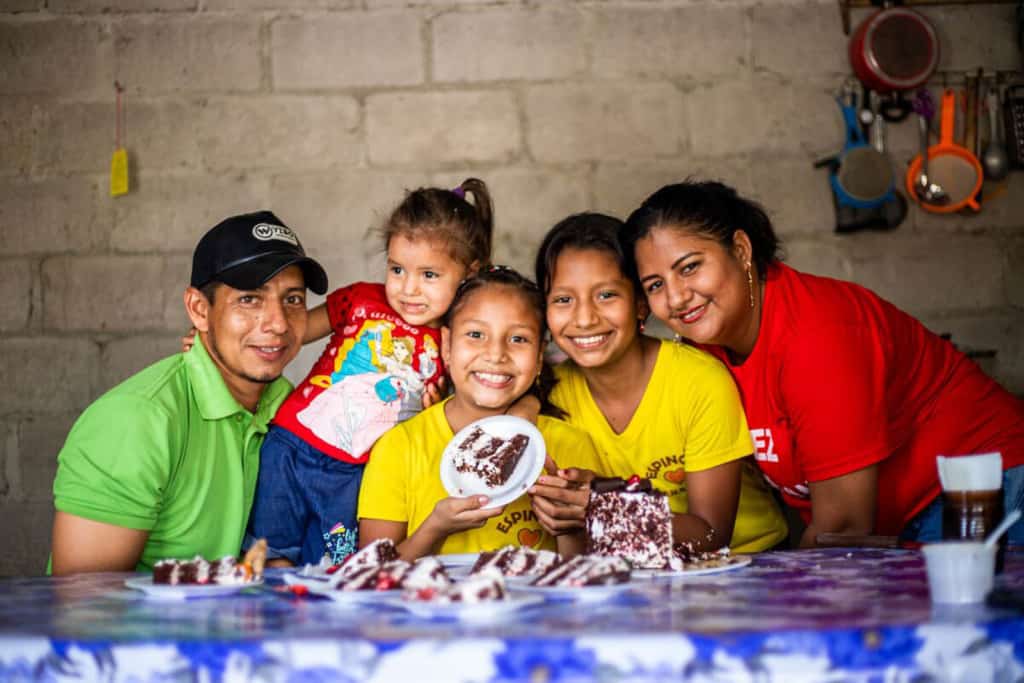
492	345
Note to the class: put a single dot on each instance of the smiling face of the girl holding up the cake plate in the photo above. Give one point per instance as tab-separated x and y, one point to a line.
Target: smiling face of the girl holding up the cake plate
493	350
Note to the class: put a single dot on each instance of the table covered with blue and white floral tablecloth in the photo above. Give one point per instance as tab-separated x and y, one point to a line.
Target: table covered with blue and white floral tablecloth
831	615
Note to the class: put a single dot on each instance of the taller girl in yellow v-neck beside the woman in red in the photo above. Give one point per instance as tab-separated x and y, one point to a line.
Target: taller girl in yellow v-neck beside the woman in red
655	409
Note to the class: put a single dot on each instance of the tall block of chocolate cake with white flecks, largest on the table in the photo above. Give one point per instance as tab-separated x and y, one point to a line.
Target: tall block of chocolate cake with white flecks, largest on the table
632	521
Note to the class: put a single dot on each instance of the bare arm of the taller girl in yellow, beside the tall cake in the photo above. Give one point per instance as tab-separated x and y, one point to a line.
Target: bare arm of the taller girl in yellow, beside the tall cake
713	496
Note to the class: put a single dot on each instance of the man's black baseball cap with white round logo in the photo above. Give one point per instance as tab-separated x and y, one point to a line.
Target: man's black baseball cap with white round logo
246	251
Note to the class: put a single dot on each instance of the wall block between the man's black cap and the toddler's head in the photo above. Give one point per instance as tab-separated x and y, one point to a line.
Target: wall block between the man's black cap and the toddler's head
337	217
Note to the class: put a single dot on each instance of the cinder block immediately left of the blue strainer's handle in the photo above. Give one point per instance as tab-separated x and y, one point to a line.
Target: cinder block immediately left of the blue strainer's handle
765	114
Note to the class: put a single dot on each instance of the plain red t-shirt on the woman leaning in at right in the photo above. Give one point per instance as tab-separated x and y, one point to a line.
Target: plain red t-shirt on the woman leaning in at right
841	379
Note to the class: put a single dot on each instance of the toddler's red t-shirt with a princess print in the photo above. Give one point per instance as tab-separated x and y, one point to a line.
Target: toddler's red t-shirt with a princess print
370	377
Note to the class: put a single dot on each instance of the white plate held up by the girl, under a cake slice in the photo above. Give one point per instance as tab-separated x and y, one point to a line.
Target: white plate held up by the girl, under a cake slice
529	469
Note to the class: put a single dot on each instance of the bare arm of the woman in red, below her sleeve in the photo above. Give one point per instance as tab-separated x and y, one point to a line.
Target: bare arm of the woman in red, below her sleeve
843	505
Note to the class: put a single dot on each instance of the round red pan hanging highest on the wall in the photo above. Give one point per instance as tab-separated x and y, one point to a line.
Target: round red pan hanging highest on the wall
892	52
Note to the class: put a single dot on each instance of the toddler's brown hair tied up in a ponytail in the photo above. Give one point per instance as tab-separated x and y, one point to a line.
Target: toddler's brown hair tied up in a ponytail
446	216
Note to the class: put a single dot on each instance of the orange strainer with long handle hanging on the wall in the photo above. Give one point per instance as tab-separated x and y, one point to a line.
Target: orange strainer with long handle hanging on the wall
951	165
